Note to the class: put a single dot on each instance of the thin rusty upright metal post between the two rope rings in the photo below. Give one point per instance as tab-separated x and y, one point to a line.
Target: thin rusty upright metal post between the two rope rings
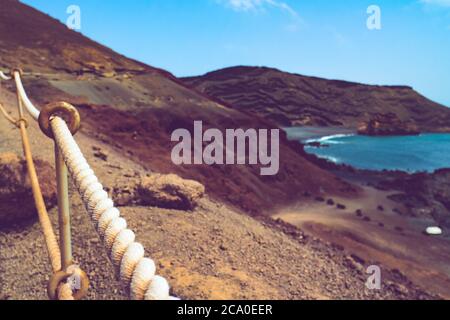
65	236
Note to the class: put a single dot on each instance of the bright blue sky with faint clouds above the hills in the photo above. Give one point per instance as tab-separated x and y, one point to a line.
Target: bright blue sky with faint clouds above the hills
313	37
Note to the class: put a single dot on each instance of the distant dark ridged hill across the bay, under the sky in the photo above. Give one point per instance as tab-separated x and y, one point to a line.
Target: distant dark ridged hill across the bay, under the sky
294	100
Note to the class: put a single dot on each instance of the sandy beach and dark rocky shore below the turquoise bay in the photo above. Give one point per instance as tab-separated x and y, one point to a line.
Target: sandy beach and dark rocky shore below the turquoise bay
386	223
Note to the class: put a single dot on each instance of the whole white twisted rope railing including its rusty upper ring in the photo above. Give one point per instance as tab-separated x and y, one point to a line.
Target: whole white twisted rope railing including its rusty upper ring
136	272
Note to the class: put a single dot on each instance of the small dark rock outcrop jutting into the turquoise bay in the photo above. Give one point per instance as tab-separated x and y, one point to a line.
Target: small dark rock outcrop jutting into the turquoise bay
387	125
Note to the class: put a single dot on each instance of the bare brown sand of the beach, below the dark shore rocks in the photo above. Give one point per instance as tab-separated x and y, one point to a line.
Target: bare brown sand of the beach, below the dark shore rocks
381	236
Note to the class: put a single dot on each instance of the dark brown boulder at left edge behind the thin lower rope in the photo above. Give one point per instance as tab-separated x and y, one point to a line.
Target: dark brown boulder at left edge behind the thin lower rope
16	198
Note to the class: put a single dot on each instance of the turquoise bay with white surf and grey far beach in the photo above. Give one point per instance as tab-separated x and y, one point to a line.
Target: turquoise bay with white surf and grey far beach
344	142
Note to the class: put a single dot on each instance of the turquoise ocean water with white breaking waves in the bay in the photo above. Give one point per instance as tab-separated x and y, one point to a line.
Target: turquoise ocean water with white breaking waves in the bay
426	152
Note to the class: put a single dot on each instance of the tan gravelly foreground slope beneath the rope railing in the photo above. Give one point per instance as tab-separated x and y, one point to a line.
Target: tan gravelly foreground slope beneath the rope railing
212	252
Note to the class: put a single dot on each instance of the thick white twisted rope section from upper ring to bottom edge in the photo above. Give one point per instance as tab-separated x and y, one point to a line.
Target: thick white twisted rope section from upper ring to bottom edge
136	271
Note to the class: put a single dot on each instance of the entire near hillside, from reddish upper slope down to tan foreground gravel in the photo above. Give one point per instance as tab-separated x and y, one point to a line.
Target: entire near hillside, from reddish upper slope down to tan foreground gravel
128	113
